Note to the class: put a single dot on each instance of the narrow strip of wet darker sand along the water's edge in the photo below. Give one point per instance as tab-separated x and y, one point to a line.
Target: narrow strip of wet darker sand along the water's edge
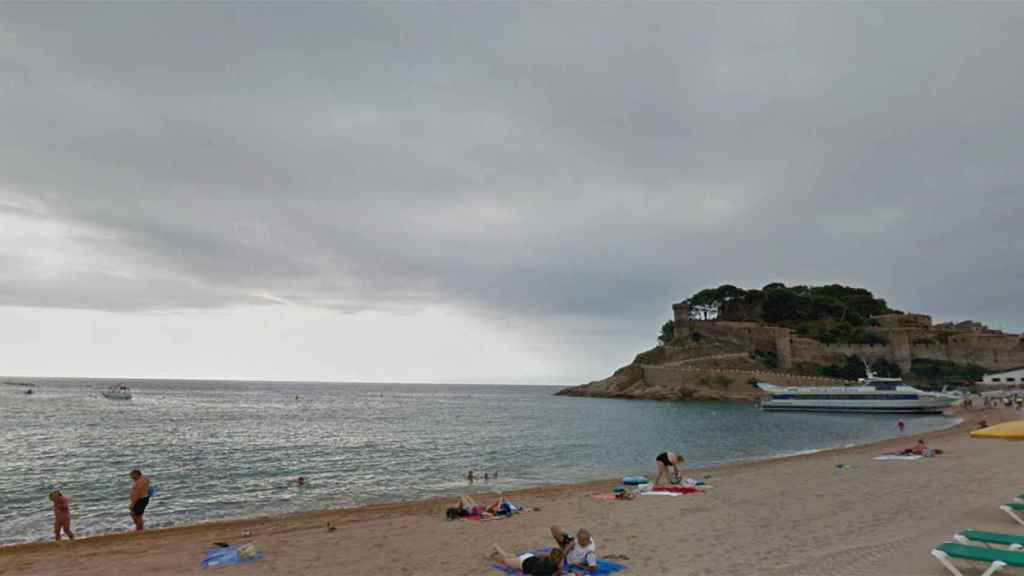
437	506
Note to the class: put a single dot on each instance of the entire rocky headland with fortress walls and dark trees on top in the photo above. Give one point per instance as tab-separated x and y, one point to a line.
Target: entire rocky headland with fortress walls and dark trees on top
722	342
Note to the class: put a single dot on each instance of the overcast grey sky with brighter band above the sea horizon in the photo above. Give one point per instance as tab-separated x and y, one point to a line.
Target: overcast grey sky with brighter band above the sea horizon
491	193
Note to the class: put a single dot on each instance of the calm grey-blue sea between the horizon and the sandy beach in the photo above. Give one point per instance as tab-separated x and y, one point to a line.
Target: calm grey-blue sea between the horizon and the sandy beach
219	450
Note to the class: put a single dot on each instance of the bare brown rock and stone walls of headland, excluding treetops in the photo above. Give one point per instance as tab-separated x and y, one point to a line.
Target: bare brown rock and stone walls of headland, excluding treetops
720	360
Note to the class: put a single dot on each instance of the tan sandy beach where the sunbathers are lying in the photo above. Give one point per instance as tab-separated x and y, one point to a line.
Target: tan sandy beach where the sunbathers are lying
793	517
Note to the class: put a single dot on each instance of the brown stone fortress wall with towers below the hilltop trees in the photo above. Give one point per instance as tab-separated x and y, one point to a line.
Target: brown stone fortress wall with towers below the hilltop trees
910	337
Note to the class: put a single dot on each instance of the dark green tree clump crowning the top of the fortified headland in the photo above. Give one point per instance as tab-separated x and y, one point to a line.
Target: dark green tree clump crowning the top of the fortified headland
829	314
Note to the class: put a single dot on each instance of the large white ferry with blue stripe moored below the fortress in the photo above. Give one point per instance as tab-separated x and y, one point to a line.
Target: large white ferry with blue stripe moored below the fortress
871	395
